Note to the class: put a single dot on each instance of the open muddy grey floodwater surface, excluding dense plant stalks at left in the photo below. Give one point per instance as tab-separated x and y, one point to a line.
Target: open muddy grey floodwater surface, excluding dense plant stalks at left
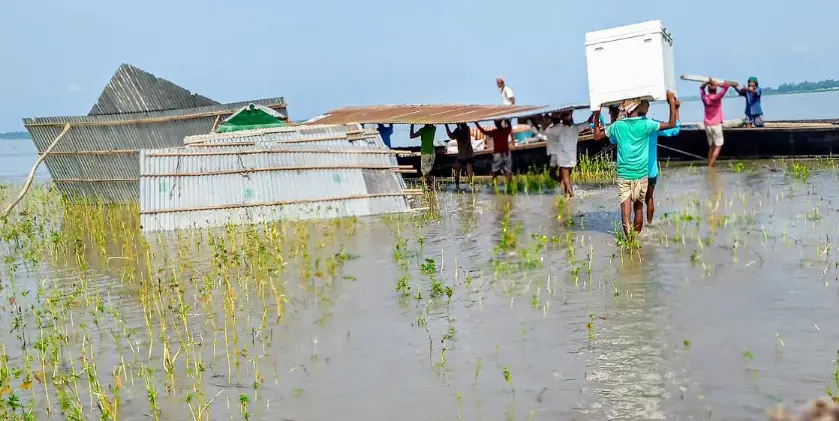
730	306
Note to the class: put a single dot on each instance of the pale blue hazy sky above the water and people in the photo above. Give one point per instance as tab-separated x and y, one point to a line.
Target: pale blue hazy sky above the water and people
57	55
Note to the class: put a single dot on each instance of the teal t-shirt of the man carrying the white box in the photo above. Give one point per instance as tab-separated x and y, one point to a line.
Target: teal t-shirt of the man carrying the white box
632	137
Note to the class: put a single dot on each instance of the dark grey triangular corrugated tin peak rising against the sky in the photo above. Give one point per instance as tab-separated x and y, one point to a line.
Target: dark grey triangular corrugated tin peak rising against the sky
132	90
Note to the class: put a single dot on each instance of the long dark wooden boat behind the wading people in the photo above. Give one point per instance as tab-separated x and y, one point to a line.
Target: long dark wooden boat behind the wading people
779	139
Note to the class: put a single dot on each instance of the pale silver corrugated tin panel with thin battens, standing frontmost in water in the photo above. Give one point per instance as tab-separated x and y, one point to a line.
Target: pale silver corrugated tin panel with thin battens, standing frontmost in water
178	189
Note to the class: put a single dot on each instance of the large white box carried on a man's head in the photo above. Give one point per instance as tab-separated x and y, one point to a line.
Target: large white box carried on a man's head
633	61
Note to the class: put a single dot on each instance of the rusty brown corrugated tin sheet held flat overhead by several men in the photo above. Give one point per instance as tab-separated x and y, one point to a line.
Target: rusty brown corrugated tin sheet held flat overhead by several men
418	114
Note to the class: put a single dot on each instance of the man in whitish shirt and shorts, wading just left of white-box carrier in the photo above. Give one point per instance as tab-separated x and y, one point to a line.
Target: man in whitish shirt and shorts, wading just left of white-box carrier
563	136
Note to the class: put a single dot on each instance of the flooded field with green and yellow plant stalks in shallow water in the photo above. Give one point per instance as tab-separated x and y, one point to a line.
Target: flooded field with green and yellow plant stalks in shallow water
492	307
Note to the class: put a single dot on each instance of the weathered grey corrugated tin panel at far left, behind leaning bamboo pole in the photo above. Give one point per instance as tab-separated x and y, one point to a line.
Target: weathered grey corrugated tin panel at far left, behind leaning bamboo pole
98	159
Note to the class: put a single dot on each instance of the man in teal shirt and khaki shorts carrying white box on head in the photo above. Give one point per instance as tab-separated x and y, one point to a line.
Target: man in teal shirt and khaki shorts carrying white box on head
631	135
